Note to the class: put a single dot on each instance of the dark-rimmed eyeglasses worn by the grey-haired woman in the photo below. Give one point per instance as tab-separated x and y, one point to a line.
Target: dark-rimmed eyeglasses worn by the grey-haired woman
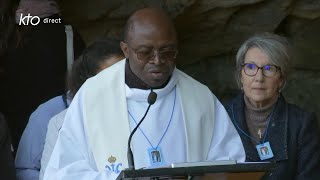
252	69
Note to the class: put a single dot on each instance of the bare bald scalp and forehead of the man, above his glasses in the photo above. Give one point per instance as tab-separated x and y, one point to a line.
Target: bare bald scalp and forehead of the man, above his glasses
150	17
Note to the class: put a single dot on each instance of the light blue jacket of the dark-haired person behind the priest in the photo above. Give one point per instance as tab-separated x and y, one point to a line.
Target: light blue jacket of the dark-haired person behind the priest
29	153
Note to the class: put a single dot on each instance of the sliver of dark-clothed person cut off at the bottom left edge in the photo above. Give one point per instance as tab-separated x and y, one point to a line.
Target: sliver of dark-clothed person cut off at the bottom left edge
7	171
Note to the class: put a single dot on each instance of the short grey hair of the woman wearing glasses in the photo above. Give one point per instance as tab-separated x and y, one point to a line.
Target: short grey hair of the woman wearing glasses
276	47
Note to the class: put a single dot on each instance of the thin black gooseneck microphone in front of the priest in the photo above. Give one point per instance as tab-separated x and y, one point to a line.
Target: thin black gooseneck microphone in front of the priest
152	97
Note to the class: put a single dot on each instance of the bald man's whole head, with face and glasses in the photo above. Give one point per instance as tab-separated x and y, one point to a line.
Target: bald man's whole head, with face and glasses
150	44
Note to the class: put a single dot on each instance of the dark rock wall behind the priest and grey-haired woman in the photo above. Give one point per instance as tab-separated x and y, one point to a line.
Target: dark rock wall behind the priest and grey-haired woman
211	31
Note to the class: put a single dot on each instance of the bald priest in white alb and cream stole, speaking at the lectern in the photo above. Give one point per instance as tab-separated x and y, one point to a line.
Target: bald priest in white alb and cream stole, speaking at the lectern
186	123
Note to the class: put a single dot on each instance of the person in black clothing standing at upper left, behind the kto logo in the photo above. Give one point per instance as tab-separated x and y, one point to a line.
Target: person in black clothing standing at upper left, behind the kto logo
35	69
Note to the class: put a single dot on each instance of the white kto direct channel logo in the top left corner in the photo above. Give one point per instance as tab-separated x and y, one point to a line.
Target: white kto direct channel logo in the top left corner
35	20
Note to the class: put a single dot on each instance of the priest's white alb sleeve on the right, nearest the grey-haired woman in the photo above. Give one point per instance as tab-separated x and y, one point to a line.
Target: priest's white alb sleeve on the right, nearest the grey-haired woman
226	143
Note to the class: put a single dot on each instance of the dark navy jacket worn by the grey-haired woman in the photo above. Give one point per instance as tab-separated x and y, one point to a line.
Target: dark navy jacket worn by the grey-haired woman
294	137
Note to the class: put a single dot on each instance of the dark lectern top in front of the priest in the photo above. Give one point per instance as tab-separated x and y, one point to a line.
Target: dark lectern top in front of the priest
230	171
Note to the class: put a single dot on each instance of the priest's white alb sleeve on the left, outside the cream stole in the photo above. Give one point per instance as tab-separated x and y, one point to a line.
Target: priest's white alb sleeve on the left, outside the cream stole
71	157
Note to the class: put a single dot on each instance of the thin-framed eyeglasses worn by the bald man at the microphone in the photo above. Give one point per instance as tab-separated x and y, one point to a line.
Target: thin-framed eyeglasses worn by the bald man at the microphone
148	55
